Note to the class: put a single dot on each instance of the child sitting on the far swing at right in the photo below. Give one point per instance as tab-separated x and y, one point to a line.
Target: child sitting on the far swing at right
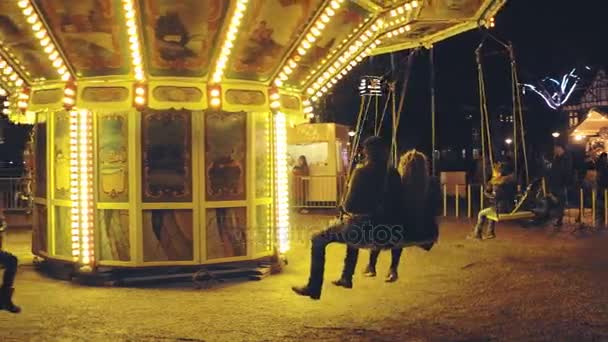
502	189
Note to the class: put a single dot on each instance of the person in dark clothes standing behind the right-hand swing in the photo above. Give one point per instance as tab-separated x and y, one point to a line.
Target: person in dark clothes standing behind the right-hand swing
560	177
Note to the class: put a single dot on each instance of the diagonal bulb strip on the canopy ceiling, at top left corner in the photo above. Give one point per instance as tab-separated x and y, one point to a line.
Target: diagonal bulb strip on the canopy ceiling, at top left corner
44	39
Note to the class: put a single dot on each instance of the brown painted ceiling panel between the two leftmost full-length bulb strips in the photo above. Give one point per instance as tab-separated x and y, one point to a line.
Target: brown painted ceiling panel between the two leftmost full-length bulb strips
91	34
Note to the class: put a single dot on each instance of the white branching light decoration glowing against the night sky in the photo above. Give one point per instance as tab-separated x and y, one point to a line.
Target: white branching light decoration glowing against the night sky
556	93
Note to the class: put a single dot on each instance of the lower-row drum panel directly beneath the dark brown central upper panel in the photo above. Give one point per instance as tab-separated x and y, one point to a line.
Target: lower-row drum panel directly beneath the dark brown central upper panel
167	235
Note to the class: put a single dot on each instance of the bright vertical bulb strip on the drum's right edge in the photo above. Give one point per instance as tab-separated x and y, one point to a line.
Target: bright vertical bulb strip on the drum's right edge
281	183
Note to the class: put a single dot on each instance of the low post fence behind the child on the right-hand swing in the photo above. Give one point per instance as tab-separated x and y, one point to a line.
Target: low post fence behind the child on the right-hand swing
583	205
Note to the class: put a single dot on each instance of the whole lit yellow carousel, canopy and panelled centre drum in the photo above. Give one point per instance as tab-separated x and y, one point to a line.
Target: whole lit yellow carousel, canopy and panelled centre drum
160	125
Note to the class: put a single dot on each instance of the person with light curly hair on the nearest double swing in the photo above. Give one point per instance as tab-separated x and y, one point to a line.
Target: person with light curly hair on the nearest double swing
421	198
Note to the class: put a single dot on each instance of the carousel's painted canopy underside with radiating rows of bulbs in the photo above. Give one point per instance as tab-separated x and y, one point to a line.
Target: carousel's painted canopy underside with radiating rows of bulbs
302	45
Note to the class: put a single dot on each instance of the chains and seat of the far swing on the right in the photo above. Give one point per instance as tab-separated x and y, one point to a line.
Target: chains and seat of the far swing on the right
518	129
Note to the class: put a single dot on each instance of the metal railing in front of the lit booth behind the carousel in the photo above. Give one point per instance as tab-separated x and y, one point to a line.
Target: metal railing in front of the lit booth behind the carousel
317	191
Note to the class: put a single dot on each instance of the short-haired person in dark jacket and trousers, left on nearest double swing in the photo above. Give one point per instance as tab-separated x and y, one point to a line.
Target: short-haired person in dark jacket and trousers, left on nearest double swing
373	196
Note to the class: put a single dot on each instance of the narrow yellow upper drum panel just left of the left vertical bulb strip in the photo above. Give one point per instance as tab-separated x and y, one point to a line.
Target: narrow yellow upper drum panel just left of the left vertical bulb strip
61	167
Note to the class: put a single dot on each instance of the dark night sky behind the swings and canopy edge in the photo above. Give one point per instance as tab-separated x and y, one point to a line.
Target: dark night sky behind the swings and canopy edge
550	37
